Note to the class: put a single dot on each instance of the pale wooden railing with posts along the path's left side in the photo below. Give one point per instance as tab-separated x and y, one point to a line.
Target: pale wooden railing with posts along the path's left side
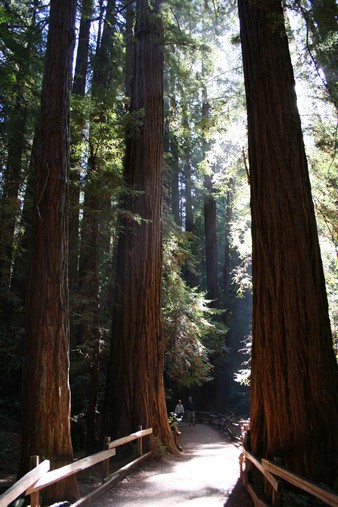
41	476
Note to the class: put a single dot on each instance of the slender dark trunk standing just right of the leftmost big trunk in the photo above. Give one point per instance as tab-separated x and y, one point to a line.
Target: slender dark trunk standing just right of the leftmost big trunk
89	326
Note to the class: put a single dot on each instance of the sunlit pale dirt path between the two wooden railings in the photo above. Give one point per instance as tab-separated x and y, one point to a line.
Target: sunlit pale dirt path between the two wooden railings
206	474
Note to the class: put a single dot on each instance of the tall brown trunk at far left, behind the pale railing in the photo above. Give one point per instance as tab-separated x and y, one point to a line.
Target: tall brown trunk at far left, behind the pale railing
46	396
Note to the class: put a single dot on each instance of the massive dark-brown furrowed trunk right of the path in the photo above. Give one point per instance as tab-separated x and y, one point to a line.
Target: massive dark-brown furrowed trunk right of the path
294	372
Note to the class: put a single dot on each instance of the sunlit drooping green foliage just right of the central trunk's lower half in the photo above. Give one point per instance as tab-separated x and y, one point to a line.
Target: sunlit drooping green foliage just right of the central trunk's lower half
187	320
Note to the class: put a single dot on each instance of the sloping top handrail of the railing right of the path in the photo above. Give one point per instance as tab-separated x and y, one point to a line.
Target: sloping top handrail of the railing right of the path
300	482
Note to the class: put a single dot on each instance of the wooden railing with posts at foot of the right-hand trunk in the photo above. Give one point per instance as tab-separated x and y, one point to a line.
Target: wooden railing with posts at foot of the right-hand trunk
273	473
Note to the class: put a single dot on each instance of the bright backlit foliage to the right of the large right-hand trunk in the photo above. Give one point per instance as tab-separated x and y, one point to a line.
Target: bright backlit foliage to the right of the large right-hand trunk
311	28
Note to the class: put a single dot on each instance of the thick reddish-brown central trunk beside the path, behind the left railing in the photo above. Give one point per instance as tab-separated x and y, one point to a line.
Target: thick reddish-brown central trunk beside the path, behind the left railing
135	388
